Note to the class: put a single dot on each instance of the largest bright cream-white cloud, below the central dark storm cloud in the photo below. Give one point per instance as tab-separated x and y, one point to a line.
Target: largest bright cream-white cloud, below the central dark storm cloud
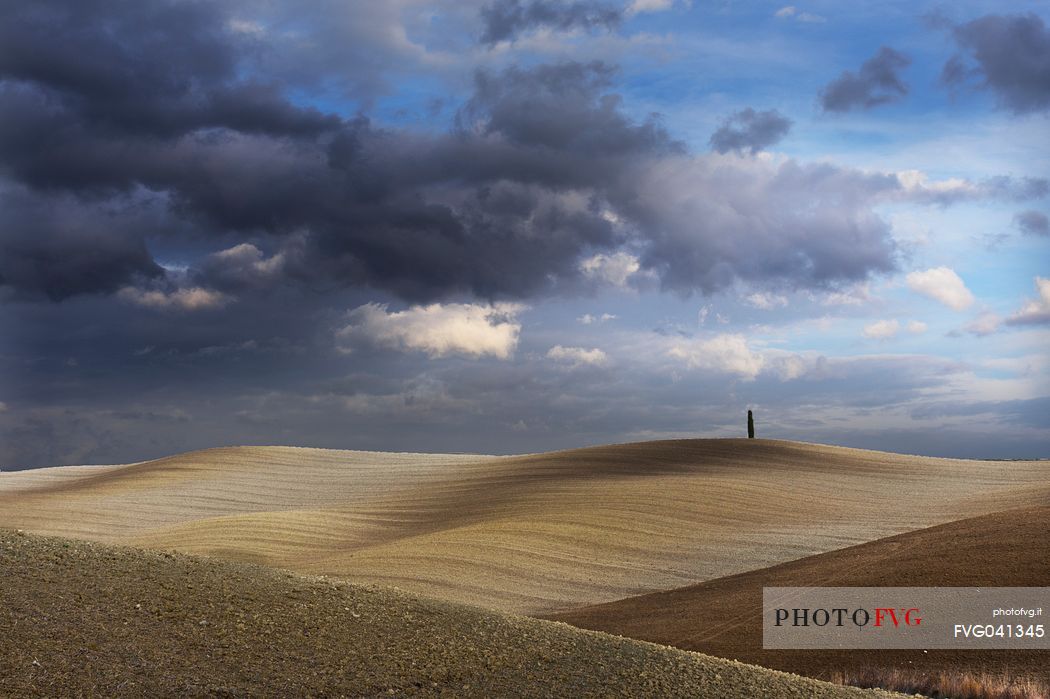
474	330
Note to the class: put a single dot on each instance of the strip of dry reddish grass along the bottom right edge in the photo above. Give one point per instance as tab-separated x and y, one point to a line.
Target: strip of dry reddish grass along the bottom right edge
947	685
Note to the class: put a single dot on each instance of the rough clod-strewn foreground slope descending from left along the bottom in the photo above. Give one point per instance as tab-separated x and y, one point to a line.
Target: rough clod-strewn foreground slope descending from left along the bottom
89	620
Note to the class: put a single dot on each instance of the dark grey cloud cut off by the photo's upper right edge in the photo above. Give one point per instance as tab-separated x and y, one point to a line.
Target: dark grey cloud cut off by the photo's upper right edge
1010	55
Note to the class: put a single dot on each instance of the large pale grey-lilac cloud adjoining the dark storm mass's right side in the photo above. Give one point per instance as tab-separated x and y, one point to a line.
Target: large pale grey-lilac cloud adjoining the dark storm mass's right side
800	226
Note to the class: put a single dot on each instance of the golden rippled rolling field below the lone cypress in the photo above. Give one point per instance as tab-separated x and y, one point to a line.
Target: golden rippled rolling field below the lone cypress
529	535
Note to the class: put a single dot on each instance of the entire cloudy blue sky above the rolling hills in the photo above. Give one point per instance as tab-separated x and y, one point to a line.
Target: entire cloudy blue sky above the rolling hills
516	226
